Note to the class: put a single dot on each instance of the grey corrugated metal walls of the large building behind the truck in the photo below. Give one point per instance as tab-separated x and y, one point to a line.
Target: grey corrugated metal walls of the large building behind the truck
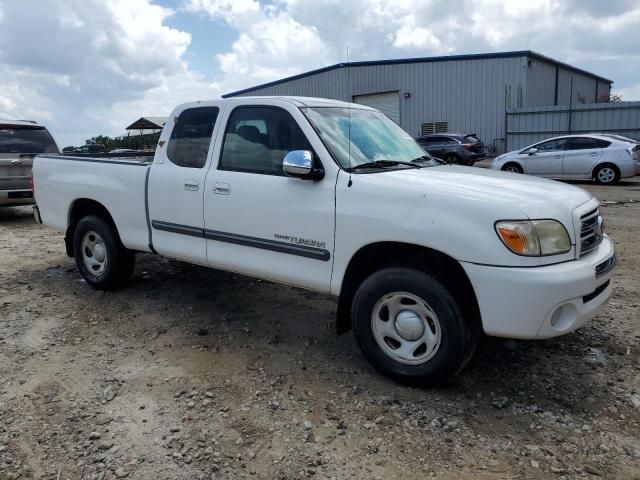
471	95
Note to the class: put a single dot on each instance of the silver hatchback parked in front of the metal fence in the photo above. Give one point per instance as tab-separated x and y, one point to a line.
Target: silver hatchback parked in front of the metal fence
605	159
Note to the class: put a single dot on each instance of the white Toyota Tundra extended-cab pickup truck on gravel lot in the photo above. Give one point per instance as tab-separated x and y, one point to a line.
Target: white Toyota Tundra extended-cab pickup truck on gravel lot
336	198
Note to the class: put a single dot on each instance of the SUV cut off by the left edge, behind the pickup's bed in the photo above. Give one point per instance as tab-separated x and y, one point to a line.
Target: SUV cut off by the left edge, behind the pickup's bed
20	142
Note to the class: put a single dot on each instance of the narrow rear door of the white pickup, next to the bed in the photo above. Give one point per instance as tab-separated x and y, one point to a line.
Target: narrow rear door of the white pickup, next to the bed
176	185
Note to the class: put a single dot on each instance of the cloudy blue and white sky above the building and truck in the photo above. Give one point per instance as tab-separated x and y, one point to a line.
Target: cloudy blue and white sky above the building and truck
88	67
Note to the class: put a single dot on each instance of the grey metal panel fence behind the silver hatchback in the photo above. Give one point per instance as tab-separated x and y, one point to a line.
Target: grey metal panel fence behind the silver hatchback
531	125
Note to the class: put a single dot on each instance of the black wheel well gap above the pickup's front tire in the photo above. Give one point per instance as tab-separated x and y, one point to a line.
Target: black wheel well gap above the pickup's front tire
375	256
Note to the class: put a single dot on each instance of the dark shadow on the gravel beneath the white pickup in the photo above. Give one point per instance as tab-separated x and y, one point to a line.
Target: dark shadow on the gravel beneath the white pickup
290	333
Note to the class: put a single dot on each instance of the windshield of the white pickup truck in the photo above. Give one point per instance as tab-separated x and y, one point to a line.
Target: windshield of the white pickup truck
374	137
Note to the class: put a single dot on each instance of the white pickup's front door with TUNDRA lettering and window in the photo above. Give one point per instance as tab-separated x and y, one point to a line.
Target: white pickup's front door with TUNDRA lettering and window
257	220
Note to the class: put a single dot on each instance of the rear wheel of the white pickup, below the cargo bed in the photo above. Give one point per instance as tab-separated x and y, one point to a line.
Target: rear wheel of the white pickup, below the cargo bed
119	262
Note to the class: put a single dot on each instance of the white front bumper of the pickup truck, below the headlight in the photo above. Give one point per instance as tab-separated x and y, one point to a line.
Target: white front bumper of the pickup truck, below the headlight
543	302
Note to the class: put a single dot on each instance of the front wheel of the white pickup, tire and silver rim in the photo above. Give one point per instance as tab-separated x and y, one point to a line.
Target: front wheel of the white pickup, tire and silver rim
410	327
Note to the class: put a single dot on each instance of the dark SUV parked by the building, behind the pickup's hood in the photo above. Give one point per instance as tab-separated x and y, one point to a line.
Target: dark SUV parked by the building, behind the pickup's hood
459	148
